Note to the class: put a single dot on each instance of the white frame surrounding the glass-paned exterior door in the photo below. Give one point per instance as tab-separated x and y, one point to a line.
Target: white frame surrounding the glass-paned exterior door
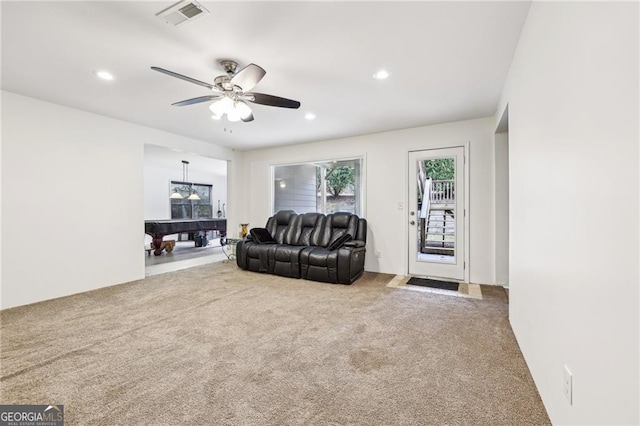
466	210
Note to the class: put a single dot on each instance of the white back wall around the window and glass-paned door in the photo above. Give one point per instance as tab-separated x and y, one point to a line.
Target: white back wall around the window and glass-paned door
386	163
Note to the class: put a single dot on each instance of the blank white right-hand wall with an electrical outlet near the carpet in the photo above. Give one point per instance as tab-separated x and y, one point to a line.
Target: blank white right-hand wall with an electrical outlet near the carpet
572	93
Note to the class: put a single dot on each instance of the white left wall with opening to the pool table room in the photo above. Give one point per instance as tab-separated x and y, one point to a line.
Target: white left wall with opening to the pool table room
72	198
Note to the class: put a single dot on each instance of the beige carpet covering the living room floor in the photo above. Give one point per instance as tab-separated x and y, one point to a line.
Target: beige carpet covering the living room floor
213	345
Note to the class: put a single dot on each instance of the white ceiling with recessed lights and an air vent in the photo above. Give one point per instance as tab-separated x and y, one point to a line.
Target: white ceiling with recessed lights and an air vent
448	62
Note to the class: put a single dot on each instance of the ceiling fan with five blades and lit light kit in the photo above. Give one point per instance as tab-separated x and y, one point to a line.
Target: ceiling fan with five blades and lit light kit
232	92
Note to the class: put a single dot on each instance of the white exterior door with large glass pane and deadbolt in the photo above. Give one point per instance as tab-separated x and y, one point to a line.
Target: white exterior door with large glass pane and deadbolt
436	213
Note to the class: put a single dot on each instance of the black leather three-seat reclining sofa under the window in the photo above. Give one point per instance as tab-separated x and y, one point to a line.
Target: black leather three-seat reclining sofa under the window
328	248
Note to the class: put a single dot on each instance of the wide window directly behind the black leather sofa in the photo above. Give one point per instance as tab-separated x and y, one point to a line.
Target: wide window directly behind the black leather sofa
323	187
